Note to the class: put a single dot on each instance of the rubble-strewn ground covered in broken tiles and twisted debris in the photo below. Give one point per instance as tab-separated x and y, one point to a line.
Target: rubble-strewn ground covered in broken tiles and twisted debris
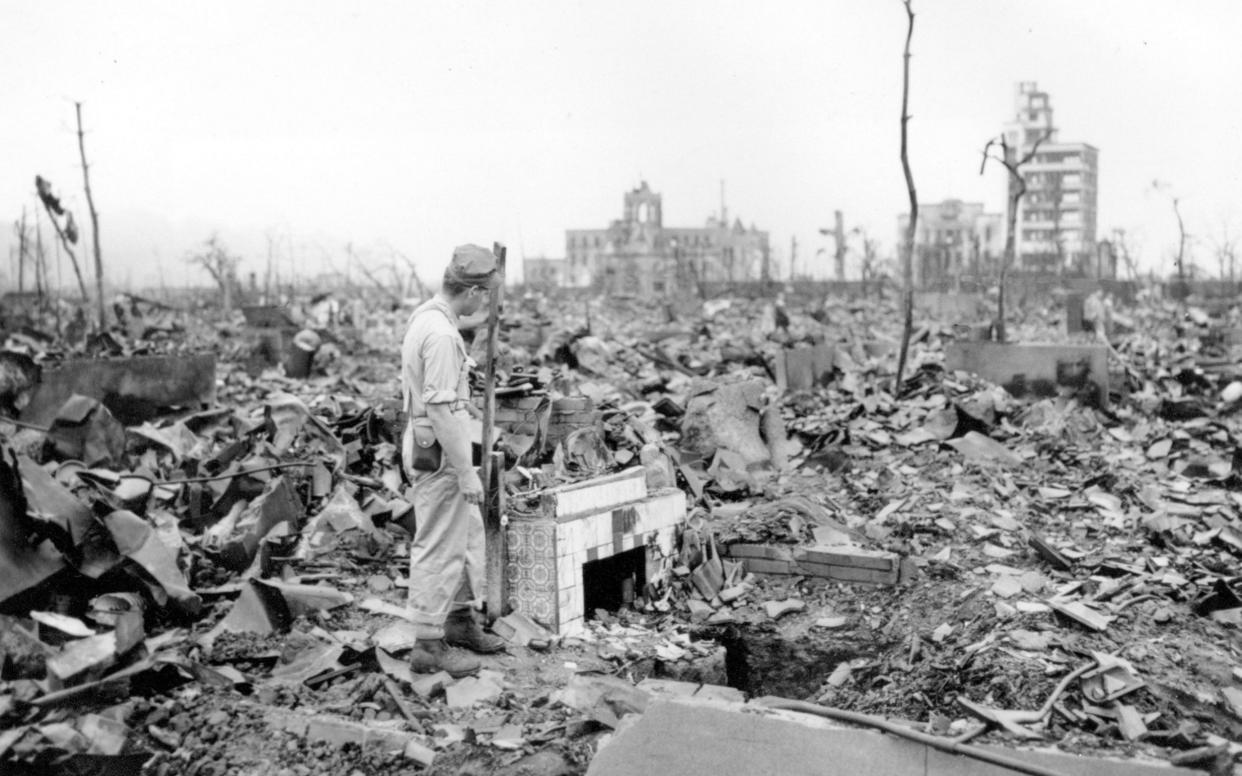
1043	541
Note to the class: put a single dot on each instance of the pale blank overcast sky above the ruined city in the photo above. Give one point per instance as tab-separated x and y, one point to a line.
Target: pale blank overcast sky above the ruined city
420	126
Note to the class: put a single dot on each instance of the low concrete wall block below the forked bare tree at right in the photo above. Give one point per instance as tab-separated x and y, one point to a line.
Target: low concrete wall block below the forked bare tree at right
1036	371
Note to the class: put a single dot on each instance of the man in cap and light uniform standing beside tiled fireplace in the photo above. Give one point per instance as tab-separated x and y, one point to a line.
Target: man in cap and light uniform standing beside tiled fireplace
448	554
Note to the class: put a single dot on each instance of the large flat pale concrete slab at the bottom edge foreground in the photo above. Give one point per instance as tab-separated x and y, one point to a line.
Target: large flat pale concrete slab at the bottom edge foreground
692	738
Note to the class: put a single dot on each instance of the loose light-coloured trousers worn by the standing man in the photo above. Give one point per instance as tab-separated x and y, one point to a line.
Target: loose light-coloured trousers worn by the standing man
448	556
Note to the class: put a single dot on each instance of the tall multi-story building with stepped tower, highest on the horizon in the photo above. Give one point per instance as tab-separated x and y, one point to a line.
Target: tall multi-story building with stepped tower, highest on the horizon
1056	218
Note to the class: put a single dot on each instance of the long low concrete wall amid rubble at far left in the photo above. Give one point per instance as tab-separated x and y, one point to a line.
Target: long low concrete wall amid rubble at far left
132	389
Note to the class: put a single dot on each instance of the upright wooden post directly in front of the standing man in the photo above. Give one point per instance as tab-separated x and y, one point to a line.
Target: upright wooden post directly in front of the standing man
494	531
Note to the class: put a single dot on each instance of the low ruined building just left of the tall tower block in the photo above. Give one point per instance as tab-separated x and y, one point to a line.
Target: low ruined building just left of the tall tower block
954	240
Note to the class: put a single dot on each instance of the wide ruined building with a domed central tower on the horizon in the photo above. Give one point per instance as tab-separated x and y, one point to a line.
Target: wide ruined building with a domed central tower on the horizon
639	255
